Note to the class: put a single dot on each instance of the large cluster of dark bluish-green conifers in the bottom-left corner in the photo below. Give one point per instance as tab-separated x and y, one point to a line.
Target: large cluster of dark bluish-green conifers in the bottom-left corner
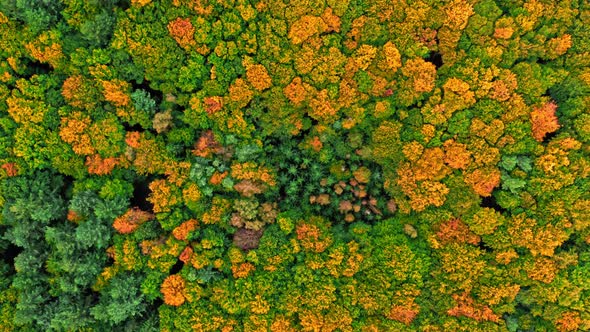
60	260
